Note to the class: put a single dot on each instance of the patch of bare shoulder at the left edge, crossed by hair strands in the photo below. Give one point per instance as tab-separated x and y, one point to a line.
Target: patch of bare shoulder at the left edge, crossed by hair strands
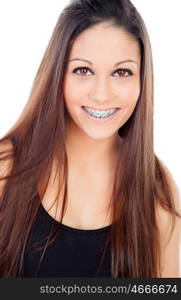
5	165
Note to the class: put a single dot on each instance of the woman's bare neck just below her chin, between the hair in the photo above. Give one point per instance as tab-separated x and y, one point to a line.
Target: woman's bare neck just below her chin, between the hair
90	154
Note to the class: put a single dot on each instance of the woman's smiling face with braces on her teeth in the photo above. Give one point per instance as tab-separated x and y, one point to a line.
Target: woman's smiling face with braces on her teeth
95	81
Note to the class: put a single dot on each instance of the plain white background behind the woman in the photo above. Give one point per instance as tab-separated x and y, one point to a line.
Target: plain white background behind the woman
25	29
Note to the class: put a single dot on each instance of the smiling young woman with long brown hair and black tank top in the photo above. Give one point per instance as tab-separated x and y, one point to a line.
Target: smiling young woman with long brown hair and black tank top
82	192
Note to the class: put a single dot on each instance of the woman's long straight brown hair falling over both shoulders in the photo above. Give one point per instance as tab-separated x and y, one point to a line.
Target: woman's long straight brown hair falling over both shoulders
38	137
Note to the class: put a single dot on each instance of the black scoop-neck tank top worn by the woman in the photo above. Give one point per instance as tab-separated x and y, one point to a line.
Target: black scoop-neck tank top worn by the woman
74	253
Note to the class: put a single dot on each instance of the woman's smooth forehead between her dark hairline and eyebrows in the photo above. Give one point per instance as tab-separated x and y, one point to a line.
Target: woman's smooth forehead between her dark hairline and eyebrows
104	41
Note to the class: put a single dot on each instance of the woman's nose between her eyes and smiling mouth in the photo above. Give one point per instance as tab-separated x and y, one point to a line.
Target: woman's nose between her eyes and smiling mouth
100	91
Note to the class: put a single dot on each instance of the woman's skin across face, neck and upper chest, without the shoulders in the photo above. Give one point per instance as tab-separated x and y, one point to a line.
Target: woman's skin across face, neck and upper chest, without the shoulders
92	147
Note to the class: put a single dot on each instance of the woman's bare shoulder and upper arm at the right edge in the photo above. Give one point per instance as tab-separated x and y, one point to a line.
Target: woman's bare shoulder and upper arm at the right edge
170	244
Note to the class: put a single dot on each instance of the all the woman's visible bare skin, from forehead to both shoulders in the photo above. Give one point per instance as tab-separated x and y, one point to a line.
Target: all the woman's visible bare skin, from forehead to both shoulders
92	148
